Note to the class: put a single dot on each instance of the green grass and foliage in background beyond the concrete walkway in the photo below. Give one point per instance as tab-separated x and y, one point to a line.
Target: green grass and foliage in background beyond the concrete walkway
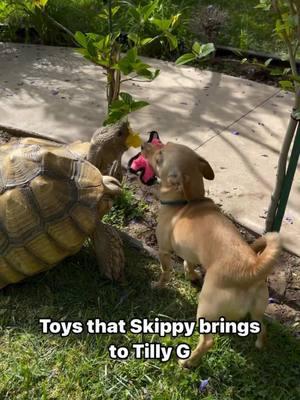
245	27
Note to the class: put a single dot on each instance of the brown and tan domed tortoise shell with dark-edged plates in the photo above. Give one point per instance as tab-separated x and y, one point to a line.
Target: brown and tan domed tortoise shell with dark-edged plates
48	205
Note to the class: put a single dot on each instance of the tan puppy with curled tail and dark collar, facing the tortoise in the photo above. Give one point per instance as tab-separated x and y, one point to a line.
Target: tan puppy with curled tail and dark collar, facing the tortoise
193	227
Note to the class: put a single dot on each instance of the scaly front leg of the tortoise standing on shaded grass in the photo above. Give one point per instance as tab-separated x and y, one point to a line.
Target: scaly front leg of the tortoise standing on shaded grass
109	251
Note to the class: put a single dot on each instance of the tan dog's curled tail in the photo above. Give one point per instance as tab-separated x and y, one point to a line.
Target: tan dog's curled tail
268	248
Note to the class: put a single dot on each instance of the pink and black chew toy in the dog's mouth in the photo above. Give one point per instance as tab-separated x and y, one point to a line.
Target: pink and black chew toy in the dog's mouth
138	165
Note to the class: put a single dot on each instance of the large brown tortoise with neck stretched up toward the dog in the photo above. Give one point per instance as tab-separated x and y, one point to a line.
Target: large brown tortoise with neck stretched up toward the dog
52	198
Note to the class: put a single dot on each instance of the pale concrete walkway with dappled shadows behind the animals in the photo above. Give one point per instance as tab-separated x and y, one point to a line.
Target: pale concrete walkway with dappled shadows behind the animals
238	125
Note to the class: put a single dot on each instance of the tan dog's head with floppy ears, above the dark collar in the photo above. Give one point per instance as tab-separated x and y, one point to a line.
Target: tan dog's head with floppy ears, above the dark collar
180	169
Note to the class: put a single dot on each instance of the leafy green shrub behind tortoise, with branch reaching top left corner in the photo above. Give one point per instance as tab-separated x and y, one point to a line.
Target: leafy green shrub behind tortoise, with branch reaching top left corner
124	26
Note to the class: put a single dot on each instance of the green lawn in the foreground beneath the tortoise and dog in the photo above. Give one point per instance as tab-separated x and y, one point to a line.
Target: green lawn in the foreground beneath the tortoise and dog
37	366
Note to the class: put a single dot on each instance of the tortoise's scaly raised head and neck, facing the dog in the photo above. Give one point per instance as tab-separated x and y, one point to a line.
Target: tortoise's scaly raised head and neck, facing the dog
108	145
